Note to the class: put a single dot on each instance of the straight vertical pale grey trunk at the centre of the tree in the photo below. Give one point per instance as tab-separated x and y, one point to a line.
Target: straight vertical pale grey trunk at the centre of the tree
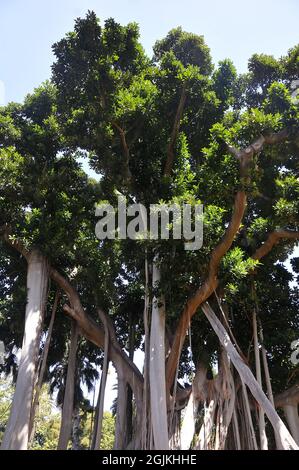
157	369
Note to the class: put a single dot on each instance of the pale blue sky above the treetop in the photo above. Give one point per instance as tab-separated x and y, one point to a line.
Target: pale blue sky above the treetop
232	28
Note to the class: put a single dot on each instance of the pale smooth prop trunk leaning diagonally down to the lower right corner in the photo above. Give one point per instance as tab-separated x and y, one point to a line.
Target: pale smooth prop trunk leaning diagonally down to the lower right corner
246	375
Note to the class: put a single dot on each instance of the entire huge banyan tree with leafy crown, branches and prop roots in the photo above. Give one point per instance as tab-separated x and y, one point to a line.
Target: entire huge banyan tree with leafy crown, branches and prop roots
216	325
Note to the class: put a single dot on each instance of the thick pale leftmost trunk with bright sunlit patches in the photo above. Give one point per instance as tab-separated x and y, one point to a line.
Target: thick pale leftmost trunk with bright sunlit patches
17	430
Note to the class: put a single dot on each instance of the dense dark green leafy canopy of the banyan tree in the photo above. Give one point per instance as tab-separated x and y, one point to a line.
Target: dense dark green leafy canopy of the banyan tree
158	129
